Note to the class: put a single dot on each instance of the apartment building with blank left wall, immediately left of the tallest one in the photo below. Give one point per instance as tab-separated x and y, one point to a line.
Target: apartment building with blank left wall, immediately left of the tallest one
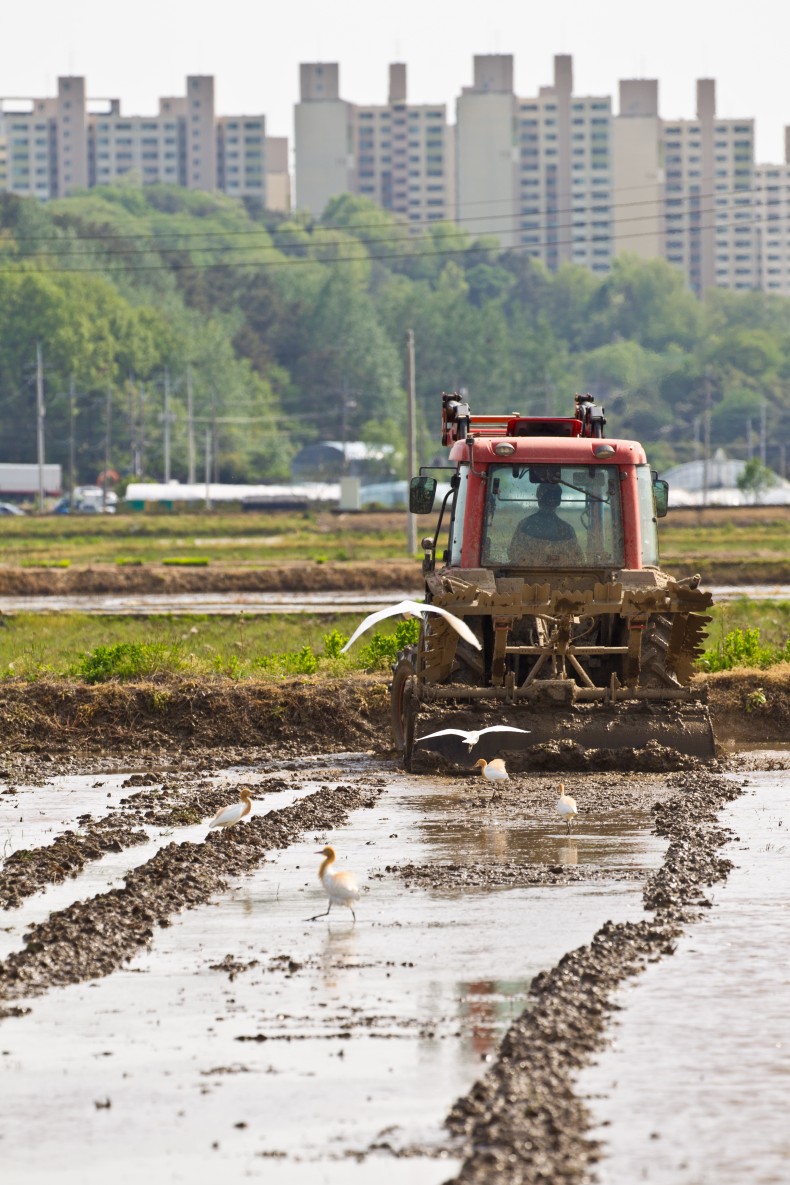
397	155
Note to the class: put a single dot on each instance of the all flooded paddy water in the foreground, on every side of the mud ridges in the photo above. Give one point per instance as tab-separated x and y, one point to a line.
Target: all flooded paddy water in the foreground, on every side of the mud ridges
245	1042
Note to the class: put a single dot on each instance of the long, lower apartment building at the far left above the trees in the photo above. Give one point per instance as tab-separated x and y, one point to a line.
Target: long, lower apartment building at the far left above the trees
55	146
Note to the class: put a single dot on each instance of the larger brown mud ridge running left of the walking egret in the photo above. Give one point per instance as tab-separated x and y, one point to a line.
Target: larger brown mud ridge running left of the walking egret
94	938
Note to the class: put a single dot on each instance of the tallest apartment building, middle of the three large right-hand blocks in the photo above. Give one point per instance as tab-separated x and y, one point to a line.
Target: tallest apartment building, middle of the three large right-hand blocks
537	172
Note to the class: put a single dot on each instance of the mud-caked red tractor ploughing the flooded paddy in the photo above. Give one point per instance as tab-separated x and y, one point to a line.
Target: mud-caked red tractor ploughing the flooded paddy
550	553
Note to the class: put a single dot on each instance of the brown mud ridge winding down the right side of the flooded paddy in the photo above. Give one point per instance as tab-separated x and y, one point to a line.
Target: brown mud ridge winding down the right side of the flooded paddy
523	1123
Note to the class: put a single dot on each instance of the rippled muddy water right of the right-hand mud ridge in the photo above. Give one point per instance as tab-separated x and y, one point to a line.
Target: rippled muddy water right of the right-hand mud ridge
699	1093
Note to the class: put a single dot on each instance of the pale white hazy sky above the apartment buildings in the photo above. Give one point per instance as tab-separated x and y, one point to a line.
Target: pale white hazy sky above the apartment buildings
140	50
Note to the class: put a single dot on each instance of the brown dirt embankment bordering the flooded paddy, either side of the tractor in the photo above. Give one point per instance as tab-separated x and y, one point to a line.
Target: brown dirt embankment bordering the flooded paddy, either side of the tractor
322	716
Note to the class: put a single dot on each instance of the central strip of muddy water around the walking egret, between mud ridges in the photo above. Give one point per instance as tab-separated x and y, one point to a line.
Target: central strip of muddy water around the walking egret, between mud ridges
331	1040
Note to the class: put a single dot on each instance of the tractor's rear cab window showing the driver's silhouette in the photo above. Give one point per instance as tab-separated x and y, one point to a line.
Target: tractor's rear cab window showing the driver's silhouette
553	516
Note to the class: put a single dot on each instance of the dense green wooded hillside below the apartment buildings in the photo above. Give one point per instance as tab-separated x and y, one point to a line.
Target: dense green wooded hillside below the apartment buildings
291	330
